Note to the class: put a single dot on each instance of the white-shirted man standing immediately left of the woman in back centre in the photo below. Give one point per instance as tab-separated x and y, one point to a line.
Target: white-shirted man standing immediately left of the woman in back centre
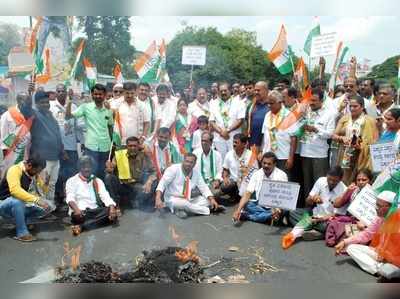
165	108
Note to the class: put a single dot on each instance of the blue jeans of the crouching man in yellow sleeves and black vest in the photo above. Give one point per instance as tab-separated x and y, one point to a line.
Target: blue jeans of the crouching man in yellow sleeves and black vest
17	210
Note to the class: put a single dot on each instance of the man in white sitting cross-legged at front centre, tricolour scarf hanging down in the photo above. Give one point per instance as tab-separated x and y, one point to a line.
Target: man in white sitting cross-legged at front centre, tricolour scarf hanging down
184	190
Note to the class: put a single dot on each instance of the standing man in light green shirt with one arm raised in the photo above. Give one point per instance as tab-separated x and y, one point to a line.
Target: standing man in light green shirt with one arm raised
98	120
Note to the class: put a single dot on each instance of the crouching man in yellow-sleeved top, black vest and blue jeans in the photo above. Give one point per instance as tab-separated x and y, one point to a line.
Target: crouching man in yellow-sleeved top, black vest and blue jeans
20	192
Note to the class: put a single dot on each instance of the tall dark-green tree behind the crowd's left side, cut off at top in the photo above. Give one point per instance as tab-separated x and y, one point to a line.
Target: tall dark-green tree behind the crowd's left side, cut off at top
108	40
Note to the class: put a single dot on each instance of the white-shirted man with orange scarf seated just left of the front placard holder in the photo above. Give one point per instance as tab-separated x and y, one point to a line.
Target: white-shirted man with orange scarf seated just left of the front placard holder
239	164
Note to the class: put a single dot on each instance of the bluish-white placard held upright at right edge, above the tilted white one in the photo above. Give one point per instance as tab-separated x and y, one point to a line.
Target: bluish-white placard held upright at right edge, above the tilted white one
382	155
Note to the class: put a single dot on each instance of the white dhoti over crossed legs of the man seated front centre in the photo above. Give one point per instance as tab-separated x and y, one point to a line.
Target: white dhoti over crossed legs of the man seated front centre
198	205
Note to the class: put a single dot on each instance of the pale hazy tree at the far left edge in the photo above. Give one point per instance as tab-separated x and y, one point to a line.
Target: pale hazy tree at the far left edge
9	37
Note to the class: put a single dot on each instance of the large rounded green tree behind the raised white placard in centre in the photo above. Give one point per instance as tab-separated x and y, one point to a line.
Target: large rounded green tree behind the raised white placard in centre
233	57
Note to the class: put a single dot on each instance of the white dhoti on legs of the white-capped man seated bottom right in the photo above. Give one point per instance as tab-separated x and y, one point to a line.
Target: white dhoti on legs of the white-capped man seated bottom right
365	256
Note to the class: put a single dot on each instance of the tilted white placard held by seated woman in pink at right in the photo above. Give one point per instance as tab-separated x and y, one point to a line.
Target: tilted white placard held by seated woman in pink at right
363	206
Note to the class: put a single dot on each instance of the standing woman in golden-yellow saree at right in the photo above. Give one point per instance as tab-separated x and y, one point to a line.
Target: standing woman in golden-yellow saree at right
354	133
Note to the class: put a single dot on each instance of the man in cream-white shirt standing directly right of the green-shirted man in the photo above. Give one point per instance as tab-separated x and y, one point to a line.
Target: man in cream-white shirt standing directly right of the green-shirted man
130	115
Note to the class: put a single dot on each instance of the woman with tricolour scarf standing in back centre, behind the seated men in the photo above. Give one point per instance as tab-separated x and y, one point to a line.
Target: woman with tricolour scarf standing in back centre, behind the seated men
185	125
